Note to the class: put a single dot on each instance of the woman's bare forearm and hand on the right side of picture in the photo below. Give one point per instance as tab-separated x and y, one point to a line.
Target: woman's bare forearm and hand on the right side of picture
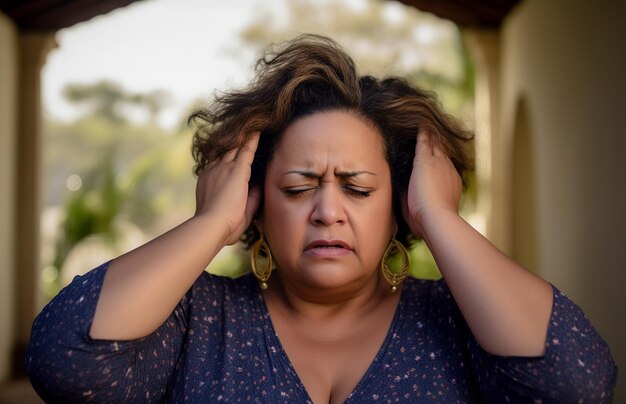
506	307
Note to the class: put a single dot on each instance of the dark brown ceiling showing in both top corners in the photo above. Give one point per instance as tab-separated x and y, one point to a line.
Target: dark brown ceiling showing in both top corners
52	15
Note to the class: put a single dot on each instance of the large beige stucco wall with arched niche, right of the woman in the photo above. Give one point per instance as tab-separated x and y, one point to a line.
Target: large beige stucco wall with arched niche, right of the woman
565	59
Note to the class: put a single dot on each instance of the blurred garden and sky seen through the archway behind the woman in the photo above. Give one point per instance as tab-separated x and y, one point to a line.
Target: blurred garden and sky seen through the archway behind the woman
116	144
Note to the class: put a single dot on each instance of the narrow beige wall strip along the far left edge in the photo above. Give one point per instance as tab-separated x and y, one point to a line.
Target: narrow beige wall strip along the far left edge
8	118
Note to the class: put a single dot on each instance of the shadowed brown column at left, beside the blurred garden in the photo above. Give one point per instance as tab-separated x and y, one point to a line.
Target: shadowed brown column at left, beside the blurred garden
33	49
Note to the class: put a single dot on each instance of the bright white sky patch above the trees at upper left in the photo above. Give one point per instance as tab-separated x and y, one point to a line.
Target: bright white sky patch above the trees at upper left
181	46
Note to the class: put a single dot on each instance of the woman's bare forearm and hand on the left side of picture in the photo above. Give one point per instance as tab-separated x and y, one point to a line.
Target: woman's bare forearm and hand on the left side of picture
142	287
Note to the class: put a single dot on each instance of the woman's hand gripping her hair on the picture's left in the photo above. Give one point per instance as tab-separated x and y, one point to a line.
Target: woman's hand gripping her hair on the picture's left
222	191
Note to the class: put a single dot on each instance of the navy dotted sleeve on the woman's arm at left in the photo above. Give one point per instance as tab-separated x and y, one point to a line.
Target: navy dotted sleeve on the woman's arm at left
65	365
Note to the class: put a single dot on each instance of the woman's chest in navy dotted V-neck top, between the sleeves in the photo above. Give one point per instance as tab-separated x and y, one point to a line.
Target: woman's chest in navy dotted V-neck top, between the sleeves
246	355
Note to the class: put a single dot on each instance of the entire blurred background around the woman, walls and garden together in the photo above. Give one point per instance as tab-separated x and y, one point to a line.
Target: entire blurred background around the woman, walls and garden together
108	164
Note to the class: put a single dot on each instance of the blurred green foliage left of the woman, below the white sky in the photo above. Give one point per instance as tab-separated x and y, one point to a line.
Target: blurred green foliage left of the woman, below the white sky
127	172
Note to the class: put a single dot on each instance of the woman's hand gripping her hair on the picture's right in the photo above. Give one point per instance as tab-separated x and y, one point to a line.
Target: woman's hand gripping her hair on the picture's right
435	185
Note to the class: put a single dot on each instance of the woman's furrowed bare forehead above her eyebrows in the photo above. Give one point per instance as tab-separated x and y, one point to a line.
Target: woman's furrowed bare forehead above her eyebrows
338	138
